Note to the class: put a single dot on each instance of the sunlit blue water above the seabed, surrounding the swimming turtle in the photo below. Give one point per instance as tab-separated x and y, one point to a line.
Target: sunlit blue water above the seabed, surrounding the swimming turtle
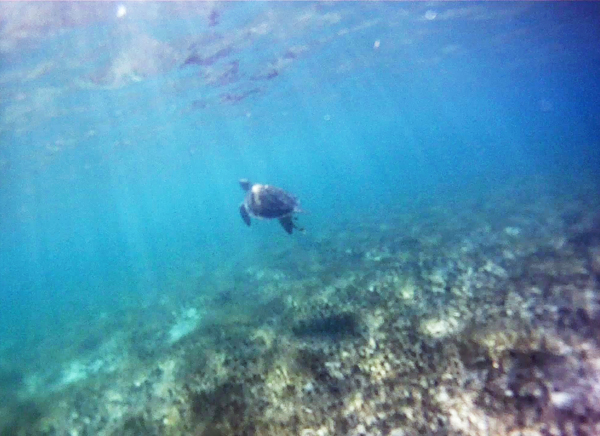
120	161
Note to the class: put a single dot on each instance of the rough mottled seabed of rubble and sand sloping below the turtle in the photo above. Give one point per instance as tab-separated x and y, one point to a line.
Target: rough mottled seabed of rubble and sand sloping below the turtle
476	316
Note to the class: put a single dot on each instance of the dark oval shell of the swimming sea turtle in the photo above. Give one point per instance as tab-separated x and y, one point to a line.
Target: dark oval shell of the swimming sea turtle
265	201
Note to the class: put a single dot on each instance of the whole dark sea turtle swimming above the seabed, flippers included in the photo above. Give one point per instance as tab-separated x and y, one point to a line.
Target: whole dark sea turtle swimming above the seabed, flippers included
268	202
